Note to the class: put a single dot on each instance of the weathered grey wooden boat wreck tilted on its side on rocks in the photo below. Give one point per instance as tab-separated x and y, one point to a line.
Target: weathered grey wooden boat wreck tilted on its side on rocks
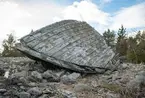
69	44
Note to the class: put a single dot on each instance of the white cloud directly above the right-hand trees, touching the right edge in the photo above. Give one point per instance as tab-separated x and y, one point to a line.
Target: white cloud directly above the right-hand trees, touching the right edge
131	17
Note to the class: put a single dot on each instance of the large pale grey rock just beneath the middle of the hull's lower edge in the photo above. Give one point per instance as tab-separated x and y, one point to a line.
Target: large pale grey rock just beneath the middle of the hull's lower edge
70	79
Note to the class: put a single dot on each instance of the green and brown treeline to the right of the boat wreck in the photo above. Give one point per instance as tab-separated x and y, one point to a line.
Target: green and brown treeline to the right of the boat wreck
132	48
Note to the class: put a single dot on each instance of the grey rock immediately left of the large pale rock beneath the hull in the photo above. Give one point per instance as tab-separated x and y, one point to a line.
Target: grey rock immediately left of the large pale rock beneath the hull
50	76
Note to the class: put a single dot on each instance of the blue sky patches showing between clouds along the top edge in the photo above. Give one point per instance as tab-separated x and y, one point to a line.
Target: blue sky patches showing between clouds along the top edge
109	6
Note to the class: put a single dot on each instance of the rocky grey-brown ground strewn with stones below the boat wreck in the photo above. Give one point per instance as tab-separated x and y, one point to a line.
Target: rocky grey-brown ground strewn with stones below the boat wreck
25	78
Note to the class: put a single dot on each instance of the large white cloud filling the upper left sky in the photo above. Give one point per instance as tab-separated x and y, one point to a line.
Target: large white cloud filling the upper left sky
21	17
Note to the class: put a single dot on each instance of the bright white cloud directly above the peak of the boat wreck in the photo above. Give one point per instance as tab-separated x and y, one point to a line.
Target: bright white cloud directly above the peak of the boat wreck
86	11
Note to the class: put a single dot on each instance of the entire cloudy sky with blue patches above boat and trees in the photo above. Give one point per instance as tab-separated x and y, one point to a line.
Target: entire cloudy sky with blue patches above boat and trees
21	16
